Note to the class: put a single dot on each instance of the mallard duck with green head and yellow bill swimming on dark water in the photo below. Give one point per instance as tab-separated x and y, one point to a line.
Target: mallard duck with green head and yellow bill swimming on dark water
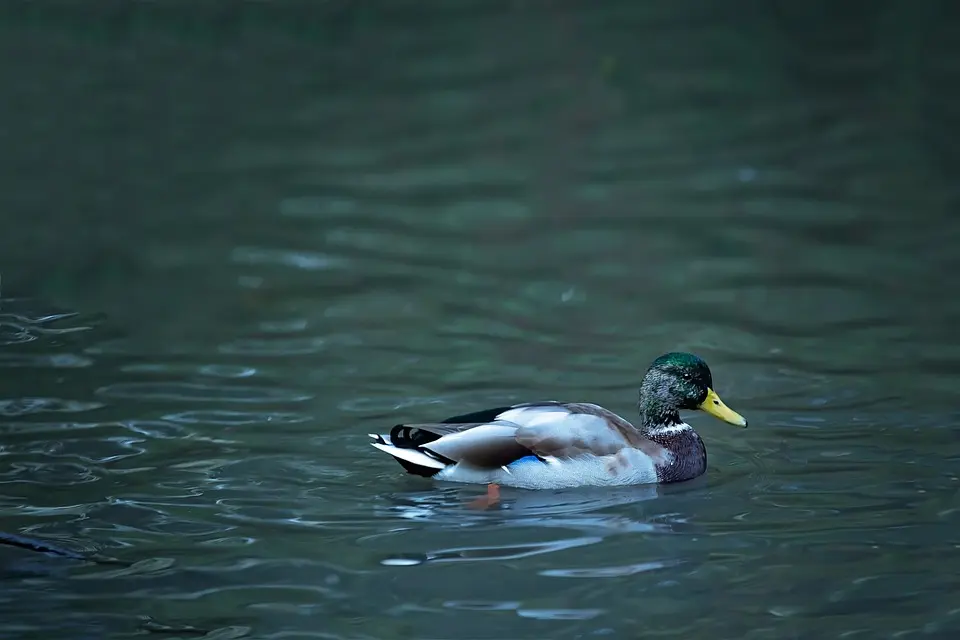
551	445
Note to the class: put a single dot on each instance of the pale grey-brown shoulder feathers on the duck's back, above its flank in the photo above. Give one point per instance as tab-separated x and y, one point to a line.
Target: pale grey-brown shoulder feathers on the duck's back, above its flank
576	429
